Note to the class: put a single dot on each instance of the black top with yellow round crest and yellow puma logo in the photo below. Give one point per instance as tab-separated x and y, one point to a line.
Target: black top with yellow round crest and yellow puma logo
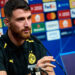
15	60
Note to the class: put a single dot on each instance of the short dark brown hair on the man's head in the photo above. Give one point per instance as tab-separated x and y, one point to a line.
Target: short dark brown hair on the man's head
15	4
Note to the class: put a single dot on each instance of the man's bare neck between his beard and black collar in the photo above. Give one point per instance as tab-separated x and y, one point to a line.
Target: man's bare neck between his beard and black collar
17	41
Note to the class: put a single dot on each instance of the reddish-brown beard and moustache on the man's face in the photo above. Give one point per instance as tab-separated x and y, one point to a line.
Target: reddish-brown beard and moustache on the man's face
20	34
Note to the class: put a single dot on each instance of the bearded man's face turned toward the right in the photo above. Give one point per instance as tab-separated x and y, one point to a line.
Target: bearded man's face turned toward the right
20	23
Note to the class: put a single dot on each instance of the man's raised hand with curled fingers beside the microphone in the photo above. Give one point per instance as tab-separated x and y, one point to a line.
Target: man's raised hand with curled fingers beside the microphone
45	64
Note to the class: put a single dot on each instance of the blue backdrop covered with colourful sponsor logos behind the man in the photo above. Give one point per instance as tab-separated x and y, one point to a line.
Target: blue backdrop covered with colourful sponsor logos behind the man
53	22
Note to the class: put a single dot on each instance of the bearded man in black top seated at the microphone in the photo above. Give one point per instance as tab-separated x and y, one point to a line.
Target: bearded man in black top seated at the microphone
18	48
